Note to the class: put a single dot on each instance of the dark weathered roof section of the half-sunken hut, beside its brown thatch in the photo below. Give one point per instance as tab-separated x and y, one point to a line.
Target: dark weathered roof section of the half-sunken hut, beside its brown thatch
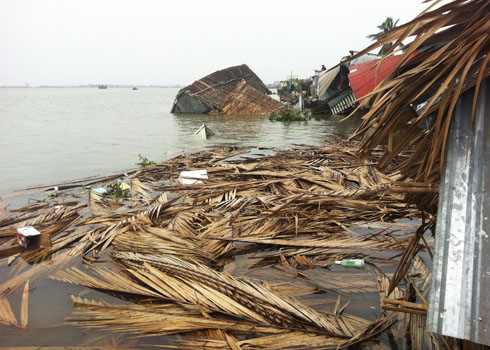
207	94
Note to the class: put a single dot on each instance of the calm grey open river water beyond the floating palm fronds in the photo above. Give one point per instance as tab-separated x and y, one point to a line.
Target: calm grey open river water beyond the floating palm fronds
55	134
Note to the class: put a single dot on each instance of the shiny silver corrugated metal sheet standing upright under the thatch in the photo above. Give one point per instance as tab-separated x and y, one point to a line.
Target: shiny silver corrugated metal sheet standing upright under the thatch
459	303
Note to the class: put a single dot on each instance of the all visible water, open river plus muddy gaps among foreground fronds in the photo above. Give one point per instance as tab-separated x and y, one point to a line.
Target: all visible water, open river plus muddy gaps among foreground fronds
49	135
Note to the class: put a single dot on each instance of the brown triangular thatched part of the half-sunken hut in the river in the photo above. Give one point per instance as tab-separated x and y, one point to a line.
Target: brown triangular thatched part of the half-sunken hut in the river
246	100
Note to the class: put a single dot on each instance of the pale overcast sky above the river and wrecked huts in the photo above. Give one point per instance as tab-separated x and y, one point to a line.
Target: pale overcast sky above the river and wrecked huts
64	42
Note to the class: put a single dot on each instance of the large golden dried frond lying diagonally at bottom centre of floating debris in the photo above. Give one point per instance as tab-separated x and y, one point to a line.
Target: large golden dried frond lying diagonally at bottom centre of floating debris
198	284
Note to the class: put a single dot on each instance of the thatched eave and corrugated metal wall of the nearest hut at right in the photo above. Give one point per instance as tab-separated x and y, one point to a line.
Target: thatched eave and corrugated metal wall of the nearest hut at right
451	77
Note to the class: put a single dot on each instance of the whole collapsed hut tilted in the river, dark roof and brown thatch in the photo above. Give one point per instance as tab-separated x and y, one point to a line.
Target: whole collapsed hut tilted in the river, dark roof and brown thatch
218	92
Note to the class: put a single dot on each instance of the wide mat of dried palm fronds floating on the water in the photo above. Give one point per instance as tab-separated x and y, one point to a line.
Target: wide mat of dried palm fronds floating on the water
244	260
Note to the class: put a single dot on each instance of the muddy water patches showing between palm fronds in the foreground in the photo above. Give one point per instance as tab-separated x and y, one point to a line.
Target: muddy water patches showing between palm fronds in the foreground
50	301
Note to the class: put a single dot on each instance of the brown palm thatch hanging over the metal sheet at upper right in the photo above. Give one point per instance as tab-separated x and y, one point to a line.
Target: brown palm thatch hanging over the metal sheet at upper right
448	55
